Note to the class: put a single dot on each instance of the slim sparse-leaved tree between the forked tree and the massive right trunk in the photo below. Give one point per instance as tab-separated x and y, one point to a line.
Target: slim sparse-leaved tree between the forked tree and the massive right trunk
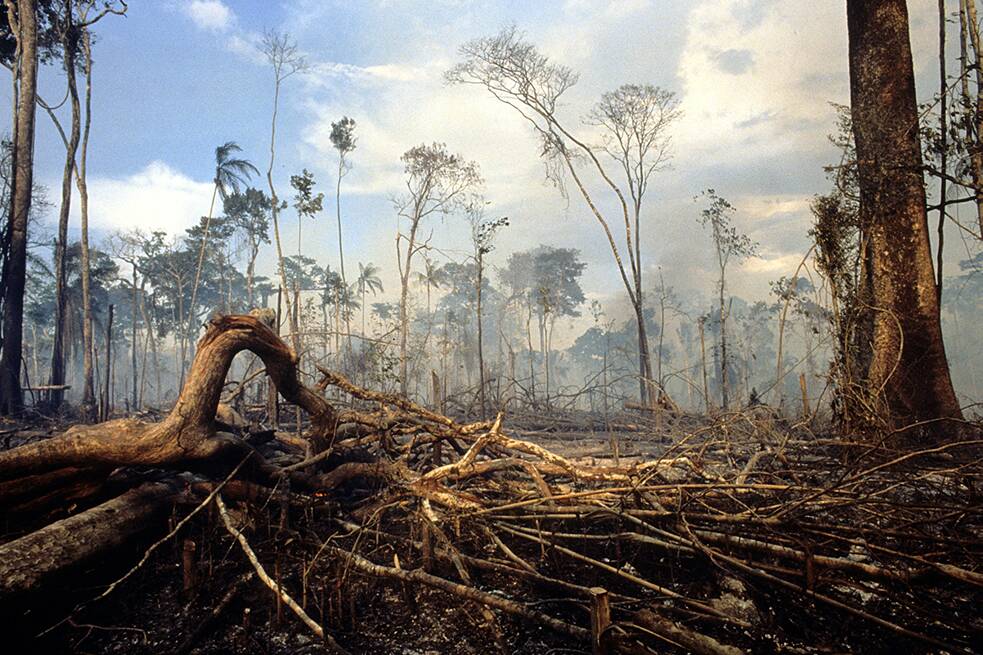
727	243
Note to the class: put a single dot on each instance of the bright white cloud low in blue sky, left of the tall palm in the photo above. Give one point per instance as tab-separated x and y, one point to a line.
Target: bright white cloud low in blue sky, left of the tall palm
155	198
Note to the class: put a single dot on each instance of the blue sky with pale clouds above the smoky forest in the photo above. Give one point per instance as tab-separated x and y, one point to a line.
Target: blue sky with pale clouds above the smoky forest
755	78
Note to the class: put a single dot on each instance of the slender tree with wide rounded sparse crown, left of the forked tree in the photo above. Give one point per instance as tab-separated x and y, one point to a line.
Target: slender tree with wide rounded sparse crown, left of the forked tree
437	182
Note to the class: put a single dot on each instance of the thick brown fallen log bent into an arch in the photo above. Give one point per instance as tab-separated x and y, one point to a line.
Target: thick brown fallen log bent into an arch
188	433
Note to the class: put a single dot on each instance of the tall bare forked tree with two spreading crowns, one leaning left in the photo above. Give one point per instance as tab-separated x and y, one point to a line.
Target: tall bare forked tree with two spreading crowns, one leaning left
633	122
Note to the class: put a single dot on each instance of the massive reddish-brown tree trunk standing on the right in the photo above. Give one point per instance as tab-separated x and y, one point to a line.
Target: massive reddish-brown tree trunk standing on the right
908	372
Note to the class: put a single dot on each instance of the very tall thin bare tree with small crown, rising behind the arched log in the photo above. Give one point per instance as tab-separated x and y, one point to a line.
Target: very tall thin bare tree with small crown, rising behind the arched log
285	60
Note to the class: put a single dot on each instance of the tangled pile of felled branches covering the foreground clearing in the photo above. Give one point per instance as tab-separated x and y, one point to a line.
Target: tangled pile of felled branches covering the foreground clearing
738	538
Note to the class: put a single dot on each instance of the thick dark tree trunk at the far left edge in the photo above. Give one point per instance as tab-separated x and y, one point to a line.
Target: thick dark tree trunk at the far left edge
14	275
